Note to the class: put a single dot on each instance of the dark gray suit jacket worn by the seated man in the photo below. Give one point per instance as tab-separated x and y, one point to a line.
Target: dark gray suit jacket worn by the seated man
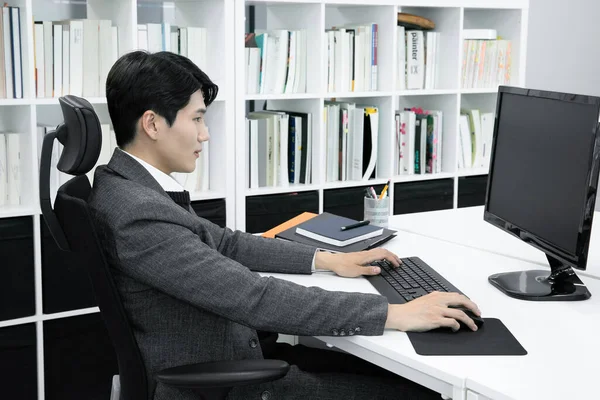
192	291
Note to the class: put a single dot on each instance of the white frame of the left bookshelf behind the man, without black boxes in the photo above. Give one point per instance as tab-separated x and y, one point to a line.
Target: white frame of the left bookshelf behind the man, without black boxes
24	114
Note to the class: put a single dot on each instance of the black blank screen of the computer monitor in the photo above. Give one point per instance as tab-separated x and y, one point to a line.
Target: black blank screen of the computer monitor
541	161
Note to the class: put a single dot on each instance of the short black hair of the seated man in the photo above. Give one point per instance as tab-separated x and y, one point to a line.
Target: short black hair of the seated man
162	82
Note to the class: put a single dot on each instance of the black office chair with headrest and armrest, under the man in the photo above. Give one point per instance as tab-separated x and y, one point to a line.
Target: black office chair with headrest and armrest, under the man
71	227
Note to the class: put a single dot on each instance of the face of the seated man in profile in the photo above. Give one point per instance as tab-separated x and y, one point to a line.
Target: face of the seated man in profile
180	144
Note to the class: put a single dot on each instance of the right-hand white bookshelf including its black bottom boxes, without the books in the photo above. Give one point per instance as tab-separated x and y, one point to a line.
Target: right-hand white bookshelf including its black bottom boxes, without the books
449	95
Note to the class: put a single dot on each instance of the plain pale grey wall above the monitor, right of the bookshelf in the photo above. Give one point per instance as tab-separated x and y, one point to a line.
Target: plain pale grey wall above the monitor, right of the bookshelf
563	46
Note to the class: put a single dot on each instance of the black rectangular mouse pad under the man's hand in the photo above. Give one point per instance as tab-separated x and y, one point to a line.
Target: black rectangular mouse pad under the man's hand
492	339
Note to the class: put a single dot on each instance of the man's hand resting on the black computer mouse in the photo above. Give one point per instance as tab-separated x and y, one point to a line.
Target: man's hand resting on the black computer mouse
430	312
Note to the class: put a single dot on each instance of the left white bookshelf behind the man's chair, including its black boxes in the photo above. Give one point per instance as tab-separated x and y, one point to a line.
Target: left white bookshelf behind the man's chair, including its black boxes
52	337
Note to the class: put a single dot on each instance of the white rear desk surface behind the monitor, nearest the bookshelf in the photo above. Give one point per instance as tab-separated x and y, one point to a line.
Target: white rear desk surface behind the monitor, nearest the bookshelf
466	227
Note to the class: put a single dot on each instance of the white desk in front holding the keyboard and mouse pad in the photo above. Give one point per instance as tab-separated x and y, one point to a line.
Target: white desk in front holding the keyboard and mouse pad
555	365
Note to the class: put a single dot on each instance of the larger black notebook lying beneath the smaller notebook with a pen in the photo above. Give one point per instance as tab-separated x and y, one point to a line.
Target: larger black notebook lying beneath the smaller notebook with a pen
335	223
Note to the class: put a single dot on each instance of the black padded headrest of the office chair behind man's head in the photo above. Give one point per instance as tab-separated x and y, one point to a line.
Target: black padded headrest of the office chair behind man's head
80	134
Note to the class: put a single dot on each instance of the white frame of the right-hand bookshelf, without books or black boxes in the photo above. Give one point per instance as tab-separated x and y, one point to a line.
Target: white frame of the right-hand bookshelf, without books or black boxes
509	18
